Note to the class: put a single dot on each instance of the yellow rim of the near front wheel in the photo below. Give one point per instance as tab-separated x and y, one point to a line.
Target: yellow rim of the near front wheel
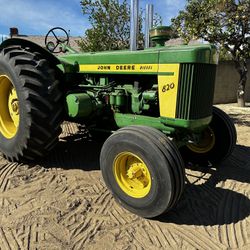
132	175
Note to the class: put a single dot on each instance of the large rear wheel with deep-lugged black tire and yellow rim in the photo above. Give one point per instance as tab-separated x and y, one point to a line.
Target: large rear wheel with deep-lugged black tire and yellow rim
30	104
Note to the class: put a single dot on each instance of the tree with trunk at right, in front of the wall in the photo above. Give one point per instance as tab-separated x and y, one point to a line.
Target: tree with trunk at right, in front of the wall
222	22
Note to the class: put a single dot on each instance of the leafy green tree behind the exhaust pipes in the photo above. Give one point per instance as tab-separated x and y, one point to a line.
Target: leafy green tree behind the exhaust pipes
110	21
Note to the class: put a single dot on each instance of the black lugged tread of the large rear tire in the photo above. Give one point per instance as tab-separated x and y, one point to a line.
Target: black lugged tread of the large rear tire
43	100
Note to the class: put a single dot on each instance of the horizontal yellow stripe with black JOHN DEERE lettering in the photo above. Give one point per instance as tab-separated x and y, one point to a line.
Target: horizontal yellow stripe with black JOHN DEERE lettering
126	68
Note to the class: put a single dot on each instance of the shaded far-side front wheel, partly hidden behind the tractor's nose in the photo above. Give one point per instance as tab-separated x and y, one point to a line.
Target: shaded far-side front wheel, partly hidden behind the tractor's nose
219	140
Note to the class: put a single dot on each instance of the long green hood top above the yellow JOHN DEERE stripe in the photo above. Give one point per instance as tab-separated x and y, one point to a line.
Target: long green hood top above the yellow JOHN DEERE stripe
170	54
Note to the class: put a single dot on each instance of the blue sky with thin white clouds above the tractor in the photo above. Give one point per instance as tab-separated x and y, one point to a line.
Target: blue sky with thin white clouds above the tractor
36	17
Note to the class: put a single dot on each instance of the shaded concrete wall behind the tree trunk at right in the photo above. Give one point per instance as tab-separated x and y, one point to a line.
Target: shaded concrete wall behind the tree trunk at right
226	83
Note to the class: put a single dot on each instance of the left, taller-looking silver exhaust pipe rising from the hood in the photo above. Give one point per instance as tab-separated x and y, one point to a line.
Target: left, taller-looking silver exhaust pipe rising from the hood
134	25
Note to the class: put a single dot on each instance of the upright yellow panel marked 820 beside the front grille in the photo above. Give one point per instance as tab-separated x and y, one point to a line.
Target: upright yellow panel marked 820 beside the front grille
167	87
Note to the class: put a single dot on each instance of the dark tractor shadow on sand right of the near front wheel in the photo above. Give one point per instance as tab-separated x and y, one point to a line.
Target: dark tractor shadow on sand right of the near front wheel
215	196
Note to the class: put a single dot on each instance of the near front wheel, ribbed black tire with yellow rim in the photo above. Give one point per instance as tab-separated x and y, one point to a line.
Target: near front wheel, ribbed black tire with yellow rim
143	169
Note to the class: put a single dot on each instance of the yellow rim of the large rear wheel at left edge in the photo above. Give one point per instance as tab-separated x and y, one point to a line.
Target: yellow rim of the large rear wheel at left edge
9	108
